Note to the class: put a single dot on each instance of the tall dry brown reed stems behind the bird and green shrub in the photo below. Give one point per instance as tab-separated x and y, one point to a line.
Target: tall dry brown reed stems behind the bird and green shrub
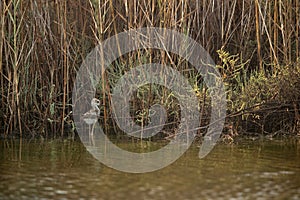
43	43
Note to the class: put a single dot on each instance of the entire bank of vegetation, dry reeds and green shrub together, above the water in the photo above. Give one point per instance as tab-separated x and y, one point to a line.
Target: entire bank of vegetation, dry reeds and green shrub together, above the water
42	44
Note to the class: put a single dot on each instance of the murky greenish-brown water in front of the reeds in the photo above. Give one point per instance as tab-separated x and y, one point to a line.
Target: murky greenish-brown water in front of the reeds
65	170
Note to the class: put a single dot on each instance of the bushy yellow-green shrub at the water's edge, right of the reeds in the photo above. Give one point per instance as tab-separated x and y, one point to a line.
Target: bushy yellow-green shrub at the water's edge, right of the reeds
266	99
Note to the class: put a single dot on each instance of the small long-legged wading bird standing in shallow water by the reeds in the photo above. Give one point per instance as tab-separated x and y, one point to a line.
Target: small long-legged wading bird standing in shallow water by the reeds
91	117
